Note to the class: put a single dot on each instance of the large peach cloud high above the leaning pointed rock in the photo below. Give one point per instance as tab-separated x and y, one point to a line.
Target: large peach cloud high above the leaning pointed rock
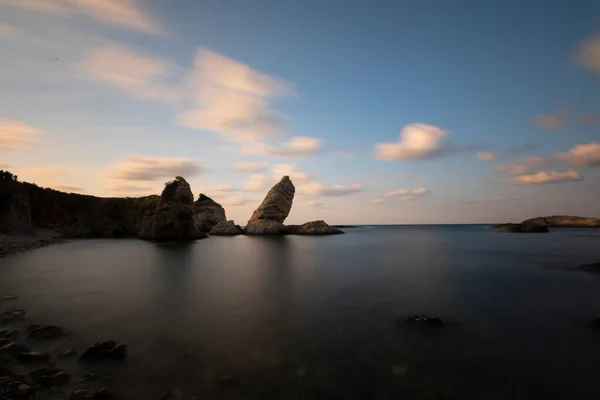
233	100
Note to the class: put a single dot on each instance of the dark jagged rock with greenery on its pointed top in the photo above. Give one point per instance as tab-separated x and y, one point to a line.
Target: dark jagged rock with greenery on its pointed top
174	217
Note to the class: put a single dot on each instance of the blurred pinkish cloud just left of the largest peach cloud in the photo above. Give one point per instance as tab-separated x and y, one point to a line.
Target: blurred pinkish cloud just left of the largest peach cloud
140	75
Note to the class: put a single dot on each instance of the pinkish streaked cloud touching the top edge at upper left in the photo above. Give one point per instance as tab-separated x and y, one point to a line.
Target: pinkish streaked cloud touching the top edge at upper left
120	13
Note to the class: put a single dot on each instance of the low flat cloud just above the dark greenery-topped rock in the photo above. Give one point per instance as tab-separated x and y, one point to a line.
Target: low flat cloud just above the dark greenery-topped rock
144	168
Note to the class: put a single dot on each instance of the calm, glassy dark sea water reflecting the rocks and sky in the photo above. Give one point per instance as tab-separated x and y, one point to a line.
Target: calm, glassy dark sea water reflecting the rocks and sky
315	318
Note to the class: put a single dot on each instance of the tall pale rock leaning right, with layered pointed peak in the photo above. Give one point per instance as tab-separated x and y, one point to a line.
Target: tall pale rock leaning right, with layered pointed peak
268	218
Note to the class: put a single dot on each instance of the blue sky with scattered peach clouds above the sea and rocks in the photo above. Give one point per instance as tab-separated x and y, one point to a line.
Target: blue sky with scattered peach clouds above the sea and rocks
381	112
